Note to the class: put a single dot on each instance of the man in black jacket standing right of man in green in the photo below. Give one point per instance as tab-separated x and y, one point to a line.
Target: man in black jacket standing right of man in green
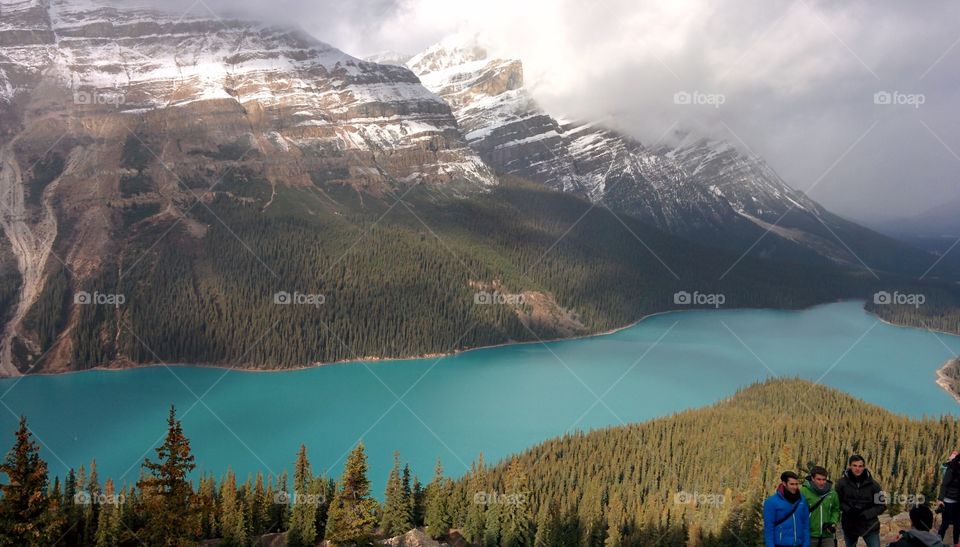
861	504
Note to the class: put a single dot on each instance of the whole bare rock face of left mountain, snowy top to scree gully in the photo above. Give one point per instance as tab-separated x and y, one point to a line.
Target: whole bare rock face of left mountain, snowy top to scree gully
105	108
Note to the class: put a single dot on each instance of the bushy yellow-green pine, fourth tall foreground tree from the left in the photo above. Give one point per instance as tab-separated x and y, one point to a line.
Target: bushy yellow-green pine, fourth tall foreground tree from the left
353	512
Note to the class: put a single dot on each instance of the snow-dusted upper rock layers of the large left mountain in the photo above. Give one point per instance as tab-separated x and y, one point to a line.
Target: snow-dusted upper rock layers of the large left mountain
299	91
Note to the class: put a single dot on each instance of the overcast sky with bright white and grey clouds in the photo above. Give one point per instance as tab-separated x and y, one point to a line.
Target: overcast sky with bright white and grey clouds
797	79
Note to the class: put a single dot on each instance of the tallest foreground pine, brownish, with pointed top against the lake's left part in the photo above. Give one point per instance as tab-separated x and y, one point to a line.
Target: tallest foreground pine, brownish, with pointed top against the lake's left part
168	496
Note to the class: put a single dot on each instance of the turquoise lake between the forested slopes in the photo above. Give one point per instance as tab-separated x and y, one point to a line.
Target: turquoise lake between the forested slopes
497	400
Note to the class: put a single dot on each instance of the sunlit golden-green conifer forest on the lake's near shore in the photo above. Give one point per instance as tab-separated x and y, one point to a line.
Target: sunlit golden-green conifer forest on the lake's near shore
694	478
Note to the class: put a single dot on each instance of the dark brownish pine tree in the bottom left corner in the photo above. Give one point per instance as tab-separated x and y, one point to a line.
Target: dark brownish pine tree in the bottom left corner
27	516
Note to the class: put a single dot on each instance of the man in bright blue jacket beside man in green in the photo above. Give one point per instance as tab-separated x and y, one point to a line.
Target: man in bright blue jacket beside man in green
786	516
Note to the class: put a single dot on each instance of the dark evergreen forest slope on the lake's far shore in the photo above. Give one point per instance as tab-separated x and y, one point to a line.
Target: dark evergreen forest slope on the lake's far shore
396	278
